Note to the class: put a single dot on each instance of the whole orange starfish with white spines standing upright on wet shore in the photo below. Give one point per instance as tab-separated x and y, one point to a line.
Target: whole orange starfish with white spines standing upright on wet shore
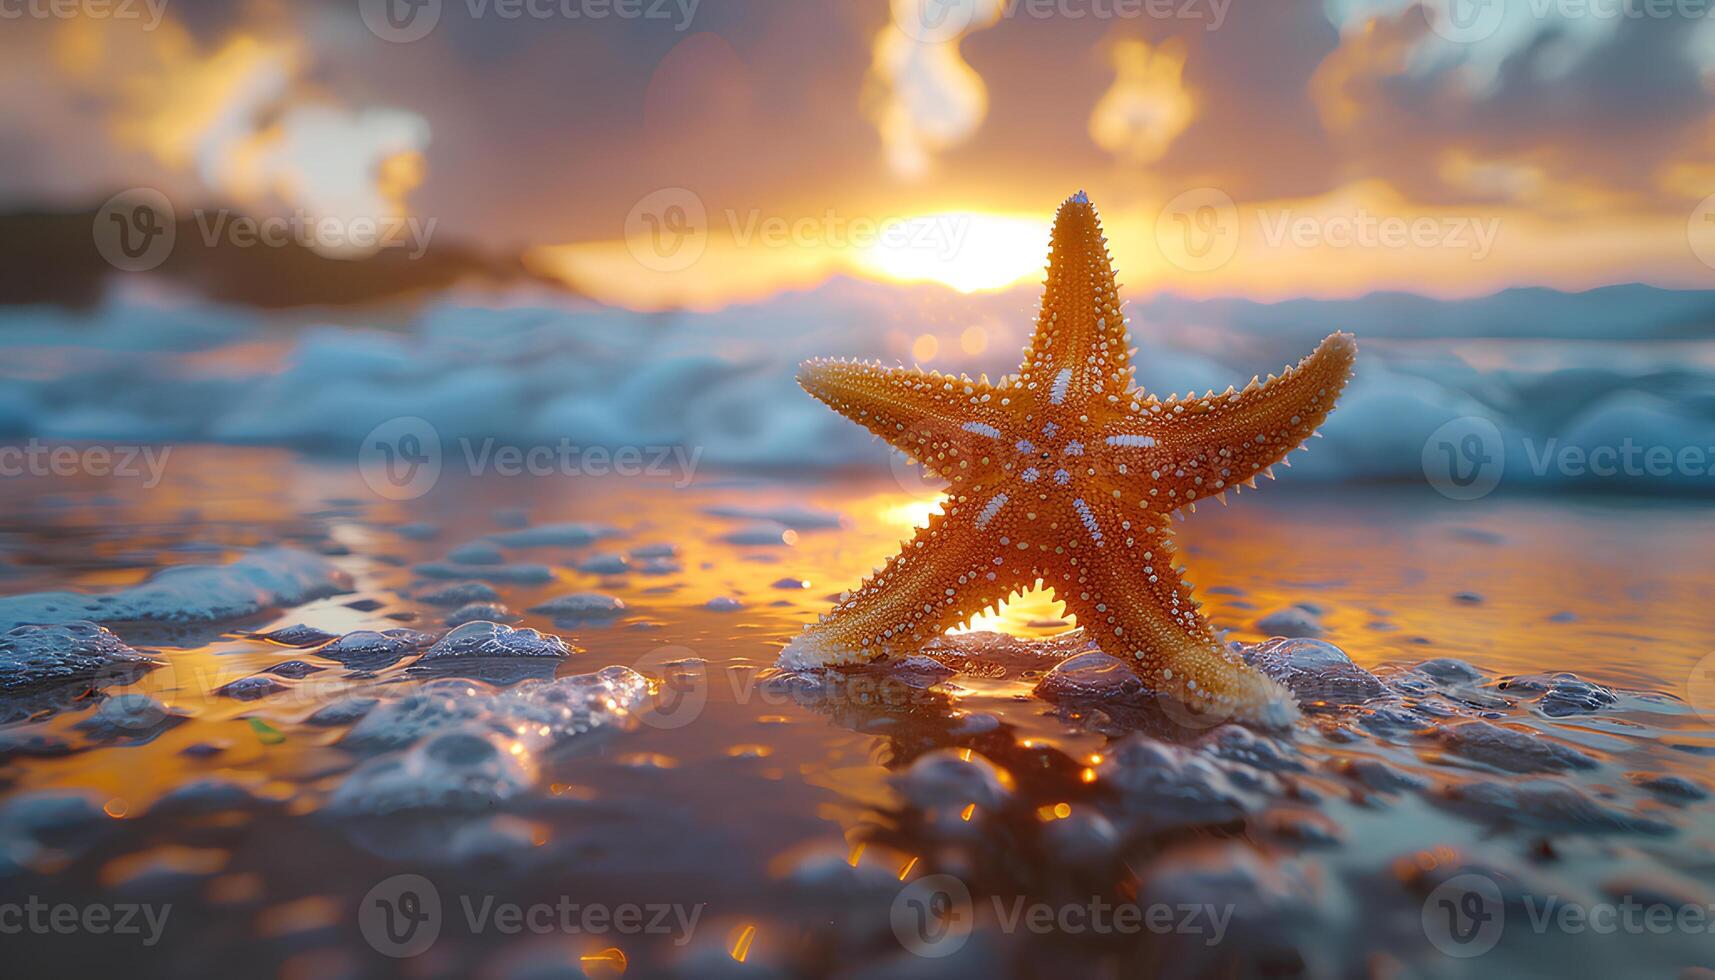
1069	476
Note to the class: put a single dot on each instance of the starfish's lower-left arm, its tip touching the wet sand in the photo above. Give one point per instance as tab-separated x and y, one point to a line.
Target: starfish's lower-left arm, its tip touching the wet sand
946	574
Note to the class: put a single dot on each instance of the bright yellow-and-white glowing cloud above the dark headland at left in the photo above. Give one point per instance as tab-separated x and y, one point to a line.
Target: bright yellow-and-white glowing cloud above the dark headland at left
232	121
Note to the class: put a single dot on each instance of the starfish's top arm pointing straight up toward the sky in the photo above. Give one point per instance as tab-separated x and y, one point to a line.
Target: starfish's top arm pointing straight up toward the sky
1080	342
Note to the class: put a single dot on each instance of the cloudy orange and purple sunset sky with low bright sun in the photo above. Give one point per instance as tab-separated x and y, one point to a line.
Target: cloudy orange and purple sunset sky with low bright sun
709	152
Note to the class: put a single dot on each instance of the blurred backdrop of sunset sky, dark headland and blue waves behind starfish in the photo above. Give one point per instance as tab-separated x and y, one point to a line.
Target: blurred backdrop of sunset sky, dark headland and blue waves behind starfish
625	221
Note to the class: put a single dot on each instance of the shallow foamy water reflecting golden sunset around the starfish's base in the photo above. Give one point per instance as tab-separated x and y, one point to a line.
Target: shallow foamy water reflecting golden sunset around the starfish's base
786	825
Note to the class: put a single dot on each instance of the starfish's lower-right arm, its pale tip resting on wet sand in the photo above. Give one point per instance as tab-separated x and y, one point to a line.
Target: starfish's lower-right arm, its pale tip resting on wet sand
1133	600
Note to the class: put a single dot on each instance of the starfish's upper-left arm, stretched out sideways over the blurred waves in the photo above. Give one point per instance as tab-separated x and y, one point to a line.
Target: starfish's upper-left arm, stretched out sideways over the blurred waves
936	420
